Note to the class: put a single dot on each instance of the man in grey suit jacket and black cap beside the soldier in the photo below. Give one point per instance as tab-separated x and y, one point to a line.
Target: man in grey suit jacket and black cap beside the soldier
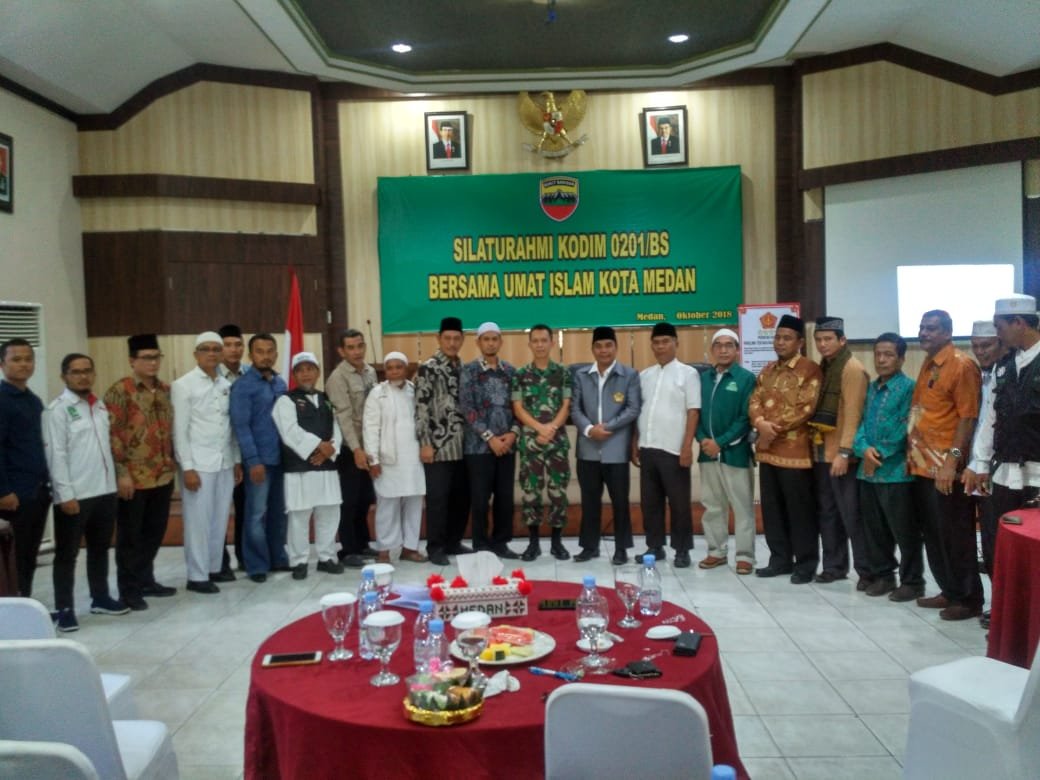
606	406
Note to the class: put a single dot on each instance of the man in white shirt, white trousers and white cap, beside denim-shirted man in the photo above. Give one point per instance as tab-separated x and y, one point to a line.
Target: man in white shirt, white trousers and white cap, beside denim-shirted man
210	461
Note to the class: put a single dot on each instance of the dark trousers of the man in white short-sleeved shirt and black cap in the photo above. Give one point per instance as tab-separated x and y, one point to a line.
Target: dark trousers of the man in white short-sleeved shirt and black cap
661	478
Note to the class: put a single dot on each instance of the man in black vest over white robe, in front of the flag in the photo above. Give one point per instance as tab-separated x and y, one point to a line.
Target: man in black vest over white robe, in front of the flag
311	440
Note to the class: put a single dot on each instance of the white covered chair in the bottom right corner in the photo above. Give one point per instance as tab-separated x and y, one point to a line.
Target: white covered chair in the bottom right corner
974	718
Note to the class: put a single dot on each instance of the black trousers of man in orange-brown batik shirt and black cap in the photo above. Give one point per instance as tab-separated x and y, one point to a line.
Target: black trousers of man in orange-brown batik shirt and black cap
790	518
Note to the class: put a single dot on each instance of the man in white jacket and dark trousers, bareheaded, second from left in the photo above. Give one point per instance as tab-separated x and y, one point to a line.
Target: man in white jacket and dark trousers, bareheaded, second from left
84	485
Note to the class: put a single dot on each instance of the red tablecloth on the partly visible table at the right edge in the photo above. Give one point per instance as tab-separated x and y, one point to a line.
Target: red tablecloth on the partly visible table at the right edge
1015	626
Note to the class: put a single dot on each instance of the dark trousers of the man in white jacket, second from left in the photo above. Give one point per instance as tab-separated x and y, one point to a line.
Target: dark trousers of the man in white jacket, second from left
95	522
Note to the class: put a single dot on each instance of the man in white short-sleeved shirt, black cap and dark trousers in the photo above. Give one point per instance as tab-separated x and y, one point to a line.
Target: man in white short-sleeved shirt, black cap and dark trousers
663	447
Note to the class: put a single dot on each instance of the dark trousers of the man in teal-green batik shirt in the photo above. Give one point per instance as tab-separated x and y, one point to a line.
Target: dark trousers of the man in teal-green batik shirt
887	511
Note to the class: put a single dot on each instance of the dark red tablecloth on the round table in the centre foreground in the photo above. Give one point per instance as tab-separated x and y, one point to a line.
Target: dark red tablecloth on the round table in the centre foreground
327	721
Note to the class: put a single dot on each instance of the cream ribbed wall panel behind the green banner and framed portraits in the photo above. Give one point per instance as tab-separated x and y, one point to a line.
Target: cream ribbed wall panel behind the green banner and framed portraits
727	126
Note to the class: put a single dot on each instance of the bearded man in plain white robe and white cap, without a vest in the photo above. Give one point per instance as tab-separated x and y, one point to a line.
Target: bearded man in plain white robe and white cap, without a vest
394	461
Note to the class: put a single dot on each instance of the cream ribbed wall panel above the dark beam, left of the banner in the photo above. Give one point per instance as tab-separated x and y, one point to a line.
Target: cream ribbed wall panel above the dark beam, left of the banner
212	129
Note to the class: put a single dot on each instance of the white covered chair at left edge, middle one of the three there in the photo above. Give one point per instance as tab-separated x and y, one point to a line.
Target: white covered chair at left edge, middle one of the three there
51	691
